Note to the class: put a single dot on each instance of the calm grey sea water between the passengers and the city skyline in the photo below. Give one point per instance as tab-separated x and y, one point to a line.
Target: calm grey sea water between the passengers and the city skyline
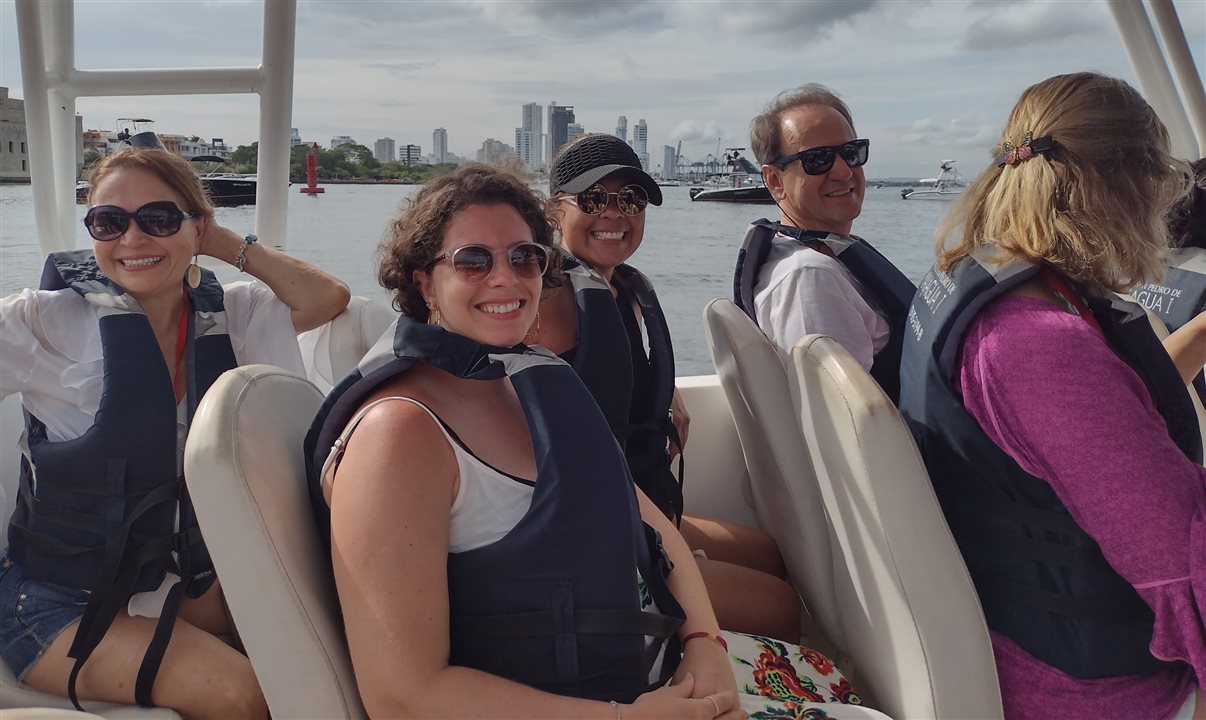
689	250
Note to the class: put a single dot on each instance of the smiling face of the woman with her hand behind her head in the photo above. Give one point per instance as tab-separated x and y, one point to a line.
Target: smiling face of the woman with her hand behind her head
153	270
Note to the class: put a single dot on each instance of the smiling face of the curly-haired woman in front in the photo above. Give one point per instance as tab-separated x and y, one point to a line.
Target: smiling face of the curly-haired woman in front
500	309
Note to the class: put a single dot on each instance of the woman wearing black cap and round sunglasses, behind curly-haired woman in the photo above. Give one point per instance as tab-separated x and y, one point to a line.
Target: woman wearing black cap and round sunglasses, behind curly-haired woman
599	197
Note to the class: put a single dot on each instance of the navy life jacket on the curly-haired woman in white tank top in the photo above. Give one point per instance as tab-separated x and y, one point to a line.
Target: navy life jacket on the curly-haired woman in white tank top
553	605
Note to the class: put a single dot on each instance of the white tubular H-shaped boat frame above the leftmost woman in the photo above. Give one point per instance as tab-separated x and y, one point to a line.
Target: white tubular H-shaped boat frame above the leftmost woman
52	84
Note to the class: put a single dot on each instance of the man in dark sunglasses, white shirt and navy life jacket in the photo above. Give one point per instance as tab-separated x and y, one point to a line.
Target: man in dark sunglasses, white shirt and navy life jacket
806	274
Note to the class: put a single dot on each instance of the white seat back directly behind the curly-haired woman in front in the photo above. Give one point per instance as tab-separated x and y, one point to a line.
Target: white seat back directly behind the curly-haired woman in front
247	478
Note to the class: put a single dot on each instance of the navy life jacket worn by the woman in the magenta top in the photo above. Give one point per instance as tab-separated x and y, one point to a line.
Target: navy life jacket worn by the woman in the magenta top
1041	579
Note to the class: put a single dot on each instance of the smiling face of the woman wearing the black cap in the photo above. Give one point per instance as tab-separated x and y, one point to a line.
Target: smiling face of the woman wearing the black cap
606	241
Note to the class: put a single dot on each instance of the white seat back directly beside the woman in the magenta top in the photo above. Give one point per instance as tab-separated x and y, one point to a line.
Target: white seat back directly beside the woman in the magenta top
906	607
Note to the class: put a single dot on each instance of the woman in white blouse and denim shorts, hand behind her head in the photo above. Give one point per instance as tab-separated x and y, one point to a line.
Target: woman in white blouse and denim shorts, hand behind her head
112	360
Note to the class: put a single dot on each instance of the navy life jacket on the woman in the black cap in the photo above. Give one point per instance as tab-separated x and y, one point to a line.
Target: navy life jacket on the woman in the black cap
611	347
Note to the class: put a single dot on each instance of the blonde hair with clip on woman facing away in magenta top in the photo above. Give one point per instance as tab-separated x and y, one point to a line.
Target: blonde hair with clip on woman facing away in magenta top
1094	207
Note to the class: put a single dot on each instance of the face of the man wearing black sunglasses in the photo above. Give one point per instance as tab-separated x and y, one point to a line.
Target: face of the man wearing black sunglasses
829	202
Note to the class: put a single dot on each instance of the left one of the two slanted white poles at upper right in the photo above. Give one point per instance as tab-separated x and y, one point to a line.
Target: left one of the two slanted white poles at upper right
1154	74
